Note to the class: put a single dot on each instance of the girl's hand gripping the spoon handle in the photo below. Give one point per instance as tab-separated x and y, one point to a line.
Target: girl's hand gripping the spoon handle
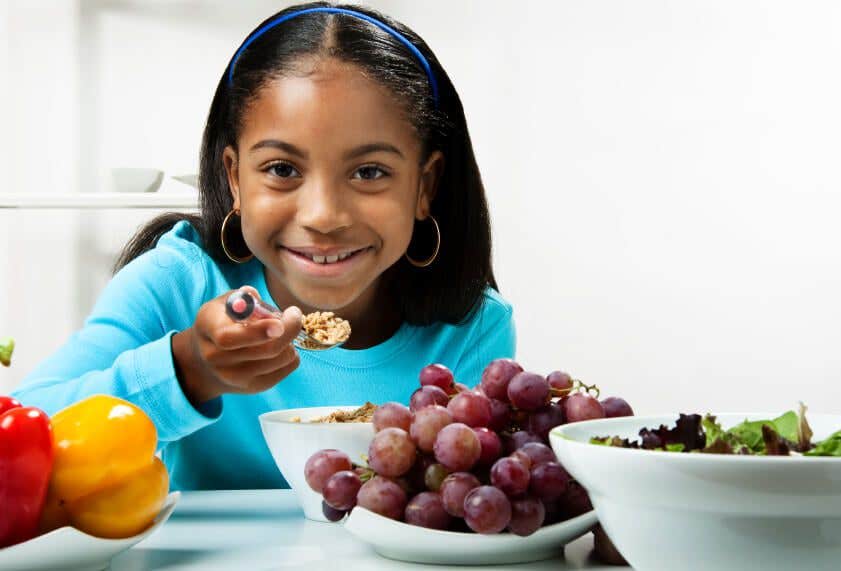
218	355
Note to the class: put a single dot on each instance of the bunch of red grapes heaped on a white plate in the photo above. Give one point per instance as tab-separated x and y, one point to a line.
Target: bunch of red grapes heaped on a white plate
461	459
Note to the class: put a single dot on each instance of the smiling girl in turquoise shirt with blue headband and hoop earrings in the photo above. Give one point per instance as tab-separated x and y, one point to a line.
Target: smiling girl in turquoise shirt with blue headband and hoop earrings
336	174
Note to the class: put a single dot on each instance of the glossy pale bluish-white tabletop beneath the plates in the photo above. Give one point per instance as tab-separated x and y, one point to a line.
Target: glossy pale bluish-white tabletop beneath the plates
265	529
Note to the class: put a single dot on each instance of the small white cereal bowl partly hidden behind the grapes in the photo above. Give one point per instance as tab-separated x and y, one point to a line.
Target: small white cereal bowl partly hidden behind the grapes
292	444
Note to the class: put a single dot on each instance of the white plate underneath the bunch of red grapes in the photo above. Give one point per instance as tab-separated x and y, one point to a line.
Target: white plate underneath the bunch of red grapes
404	542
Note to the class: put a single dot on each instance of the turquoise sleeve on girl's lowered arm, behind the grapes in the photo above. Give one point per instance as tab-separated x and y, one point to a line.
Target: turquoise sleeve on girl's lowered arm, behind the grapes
493	336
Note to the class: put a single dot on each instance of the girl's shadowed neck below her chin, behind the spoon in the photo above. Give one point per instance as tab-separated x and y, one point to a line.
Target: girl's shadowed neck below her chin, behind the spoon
373	316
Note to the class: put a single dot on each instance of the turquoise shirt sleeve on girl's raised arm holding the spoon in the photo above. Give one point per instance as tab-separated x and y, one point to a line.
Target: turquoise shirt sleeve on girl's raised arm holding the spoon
124	348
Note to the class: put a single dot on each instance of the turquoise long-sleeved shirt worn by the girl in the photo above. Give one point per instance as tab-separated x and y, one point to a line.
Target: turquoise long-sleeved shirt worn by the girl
124	349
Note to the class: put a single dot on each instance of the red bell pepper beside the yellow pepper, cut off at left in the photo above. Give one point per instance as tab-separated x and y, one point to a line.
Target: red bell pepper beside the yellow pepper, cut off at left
26	461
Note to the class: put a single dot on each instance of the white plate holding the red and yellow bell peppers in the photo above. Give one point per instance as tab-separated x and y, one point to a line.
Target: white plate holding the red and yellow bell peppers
70	549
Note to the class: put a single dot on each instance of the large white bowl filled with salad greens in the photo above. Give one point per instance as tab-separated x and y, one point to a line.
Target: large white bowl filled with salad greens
670	510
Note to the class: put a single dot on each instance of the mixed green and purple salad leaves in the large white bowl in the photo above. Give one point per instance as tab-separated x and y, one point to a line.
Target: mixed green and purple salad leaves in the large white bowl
780	436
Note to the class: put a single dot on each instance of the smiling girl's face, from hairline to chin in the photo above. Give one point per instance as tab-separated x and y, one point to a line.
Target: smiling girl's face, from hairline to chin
328	176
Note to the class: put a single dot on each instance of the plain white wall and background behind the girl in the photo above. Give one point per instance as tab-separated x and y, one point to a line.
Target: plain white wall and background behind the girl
663	176
